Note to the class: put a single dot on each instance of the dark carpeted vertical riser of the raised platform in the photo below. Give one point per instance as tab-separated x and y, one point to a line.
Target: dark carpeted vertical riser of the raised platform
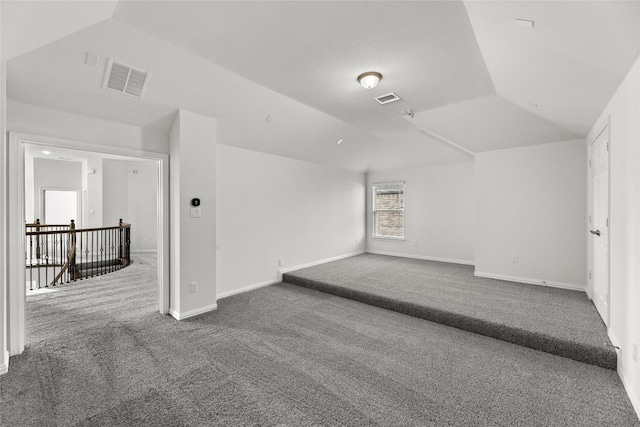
571	350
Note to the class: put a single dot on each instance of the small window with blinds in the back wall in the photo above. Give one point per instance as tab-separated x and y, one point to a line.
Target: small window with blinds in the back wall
388	210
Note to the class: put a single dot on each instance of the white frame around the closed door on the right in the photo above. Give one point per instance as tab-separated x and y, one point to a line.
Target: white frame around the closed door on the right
605	125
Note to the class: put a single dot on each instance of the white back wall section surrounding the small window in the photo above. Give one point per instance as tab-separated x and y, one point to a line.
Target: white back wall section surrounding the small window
439	213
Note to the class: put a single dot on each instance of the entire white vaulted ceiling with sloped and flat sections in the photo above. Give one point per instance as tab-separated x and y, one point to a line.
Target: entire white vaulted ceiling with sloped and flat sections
473	80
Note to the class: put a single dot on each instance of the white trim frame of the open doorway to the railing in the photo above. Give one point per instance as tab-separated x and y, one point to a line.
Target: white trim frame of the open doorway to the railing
16	301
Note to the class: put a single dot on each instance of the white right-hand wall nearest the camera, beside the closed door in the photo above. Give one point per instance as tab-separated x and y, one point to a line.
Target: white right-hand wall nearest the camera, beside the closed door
624	215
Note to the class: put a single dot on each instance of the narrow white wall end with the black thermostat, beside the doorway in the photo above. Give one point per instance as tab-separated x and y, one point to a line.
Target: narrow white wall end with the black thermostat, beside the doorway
193	175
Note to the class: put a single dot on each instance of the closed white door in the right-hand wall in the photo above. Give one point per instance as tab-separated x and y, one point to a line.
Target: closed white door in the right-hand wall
599	222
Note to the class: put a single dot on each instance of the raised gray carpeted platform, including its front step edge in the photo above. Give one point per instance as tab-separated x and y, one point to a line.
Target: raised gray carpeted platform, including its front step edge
556	321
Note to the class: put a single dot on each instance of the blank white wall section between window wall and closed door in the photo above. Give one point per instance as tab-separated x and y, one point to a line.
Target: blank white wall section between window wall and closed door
532	202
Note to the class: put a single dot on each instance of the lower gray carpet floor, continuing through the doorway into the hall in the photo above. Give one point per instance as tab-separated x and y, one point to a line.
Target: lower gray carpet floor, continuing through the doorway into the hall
287	356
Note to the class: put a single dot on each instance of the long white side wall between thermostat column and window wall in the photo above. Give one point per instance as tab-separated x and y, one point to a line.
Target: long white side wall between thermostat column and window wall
272	207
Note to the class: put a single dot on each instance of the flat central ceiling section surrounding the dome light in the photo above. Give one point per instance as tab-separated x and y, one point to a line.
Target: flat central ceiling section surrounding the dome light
313	51
